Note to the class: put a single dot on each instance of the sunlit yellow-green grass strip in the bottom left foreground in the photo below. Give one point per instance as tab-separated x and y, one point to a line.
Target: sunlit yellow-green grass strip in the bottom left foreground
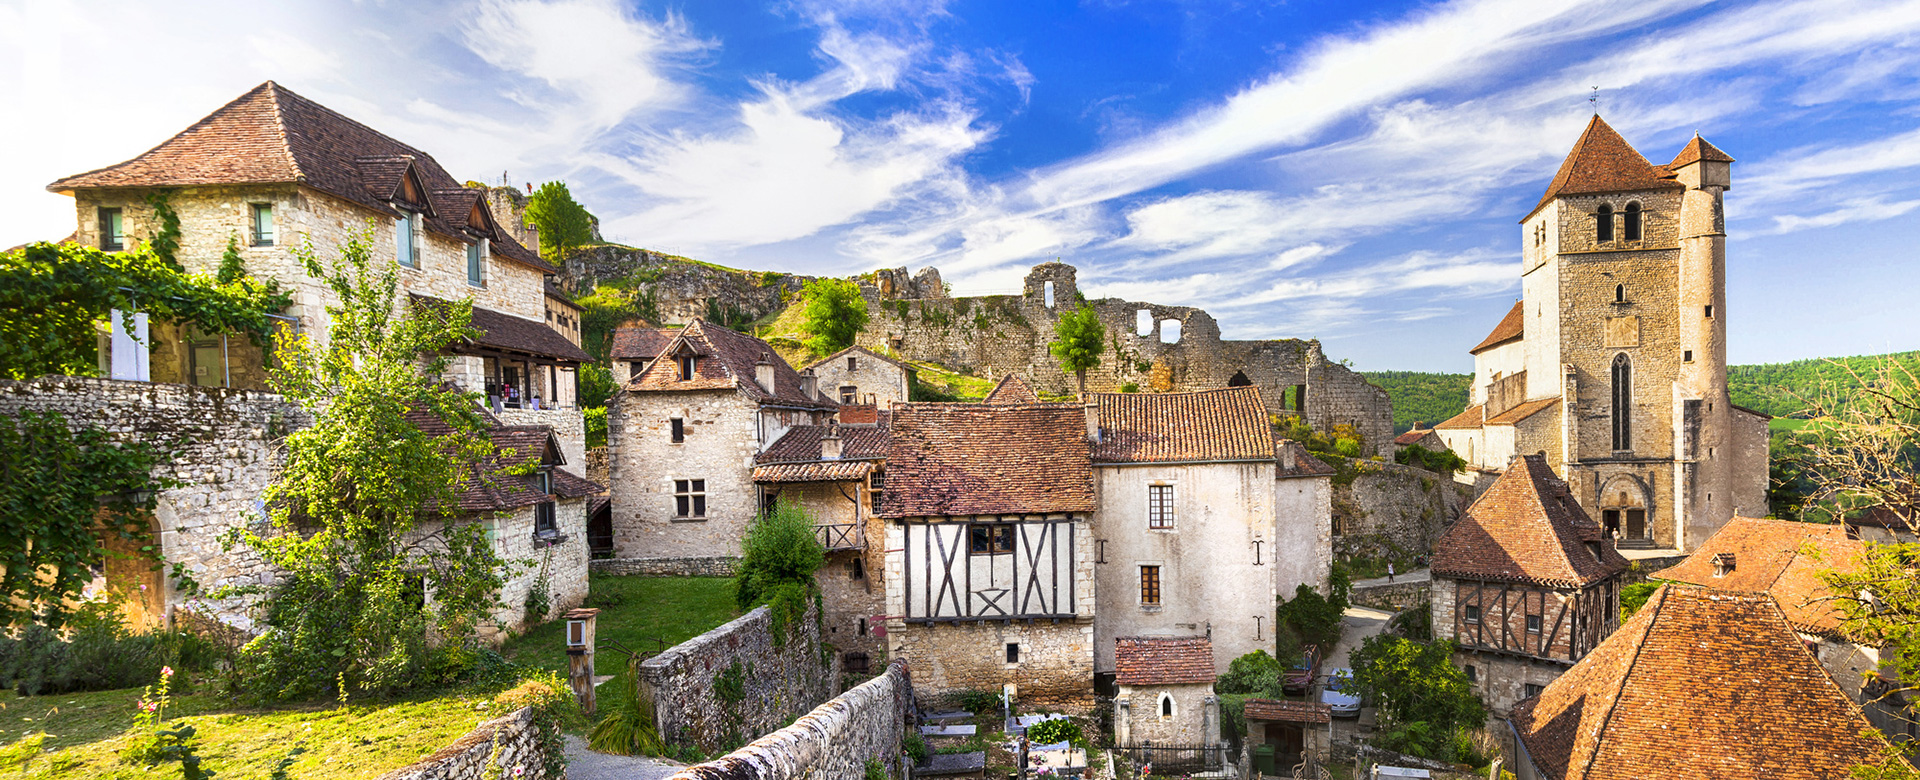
87	733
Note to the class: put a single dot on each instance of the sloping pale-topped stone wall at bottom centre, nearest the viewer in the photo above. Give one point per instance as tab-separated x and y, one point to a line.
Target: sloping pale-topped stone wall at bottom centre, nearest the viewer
836	741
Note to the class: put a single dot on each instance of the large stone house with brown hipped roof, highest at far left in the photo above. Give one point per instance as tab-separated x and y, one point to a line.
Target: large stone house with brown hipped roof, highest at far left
274	172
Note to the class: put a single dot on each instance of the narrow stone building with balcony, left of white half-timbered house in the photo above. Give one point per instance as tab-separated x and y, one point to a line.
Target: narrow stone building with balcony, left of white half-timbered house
836	472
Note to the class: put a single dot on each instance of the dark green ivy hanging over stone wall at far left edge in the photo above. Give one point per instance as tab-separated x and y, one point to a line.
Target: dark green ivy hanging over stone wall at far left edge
62	493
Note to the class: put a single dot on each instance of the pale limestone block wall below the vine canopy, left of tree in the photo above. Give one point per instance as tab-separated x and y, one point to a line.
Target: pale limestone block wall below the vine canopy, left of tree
222	445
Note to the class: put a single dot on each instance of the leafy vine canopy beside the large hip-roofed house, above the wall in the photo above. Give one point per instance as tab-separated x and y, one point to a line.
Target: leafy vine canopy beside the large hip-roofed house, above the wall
55	297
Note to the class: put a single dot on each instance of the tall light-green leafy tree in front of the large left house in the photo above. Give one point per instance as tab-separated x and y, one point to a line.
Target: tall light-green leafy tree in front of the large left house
368	531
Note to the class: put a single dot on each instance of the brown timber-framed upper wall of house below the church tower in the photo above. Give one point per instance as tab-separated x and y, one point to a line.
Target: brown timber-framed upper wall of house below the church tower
1579	622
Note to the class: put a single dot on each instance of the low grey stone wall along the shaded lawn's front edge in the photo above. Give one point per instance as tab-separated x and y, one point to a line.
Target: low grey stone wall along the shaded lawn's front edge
773	681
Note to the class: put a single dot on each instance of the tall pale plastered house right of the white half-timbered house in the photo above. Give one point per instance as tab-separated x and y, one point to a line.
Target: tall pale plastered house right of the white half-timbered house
1201	529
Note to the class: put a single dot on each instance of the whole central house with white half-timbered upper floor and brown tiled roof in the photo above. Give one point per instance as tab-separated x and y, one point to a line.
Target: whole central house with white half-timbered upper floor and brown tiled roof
990	550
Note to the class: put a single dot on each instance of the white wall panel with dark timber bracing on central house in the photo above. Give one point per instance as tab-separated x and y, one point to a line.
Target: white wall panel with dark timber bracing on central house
1040	587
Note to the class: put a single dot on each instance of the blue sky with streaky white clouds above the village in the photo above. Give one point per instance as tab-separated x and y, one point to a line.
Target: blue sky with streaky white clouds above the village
1318	170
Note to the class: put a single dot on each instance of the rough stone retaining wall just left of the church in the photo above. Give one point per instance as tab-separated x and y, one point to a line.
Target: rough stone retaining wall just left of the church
1393	510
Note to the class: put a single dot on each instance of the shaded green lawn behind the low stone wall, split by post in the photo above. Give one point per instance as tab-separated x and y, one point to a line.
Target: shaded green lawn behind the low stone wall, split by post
648	612
